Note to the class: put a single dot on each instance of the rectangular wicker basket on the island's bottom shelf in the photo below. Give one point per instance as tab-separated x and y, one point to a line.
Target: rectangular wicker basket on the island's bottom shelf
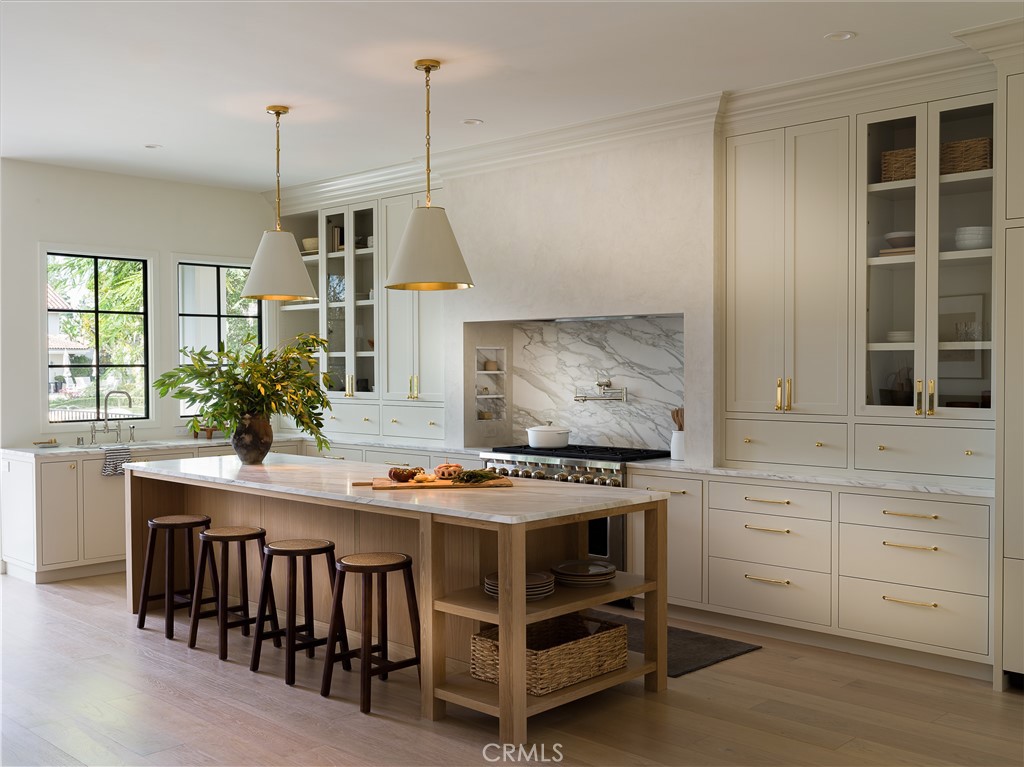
561	652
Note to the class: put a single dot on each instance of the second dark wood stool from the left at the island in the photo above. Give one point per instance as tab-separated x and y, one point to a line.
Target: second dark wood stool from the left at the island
207	555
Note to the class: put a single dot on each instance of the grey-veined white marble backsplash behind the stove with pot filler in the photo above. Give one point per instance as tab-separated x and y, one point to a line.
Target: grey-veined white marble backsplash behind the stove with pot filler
645	355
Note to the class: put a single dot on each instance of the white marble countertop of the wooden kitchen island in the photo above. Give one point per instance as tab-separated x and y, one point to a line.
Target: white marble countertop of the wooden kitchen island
527	501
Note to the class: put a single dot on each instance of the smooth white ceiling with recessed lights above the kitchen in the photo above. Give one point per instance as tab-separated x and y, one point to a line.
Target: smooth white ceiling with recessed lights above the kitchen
90	84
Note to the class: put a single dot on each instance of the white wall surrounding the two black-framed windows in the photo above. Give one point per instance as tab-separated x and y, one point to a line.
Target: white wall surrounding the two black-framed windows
103	212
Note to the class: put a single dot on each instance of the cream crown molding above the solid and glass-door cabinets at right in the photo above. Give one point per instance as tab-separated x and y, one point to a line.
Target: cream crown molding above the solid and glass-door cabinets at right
878	87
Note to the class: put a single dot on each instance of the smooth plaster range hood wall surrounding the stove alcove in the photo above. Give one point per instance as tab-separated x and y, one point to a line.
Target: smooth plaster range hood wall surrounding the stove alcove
626	231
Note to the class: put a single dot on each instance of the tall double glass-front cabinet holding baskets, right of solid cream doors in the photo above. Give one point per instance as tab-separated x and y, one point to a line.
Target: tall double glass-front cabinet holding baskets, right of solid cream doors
925	261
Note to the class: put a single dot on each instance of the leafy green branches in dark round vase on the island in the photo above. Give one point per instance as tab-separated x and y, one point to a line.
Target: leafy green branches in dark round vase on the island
238	392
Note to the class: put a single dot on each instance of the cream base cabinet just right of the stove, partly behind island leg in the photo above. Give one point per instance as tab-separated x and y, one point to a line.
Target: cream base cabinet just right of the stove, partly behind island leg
686	538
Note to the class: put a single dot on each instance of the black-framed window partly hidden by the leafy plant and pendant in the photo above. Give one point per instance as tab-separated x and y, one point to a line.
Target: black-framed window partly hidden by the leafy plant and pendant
212	312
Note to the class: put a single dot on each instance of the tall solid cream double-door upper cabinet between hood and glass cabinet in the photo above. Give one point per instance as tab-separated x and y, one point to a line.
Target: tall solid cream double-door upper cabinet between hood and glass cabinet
788	248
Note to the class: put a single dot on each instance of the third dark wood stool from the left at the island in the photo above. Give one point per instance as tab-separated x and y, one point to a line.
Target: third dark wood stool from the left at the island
296	637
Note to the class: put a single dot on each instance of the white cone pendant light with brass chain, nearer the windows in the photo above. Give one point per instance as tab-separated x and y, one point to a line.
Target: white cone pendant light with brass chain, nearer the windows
278	273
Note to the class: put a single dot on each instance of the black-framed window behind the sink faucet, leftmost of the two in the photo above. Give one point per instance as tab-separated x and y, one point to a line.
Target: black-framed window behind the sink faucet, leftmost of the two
98	338
